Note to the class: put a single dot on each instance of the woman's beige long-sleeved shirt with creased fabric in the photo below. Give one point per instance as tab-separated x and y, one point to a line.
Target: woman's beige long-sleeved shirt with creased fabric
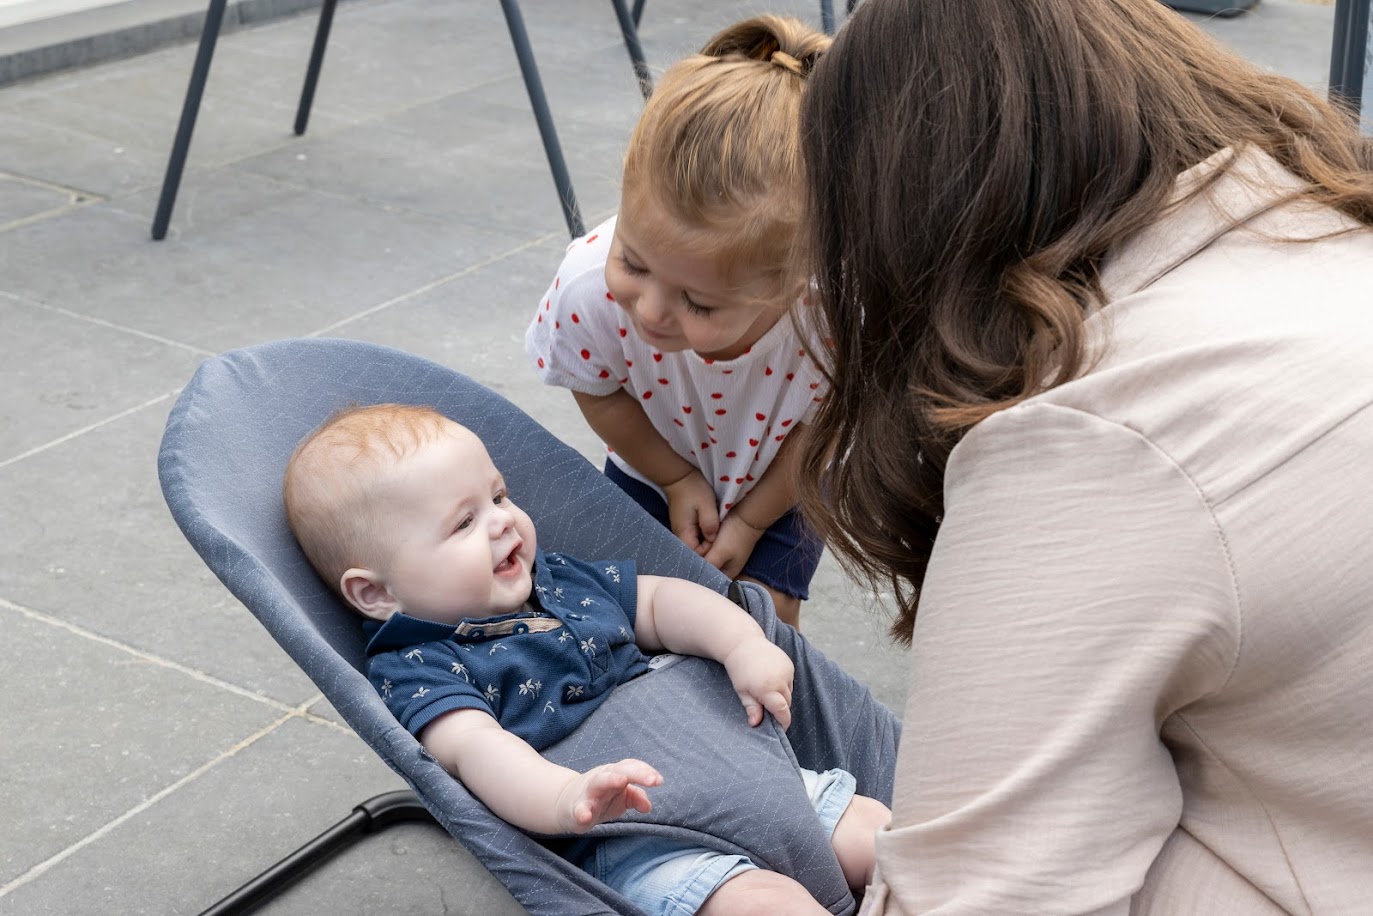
1143	665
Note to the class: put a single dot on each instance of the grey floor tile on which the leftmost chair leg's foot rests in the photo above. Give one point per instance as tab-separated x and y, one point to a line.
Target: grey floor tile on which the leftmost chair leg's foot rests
296	268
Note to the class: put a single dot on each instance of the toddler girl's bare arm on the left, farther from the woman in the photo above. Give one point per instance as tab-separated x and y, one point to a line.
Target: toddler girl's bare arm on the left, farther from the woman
691	501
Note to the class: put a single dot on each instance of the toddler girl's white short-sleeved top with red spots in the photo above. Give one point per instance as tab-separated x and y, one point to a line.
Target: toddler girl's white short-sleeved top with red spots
727	417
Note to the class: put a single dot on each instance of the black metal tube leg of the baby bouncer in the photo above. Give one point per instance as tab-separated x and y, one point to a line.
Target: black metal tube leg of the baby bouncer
371	816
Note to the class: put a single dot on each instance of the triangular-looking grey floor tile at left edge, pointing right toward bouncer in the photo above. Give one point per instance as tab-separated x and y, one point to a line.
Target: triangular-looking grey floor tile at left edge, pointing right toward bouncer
116	730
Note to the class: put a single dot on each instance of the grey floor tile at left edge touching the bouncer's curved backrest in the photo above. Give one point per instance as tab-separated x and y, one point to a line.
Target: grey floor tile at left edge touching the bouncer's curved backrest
102	553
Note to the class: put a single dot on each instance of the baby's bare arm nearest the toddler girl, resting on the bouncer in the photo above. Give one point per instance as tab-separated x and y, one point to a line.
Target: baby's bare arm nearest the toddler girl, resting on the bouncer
690	619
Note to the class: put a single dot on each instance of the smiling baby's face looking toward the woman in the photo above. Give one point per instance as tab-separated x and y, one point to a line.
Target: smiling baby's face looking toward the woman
461	547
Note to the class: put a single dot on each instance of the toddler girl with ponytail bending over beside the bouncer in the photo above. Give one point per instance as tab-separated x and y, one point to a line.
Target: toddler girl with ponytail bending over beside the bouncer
673	323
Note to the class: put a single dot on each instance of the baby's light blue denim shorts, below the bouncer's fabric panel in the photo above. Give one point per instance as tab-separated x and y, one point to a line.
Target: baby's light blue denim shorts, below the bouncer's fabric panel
668	878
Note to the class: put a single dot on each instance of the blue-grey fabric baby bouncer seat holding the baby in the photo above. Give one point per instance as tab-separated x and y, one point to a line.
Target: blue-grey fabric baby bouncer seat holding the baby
730	788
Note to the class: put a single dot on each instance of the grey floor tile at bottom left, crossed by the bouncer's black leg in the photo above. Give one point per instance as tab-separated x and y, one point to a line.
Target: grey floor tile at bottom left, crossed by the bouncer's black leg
246	814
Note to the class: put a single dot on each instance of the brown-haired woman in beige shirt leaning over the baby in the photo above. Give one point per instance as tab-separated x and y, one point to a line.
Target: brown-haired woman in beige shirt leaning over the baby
1102	303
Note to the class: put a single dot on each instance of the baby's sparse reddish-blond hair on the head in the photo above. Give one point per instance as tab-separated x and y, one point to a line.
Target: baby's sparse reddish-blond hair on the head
332	480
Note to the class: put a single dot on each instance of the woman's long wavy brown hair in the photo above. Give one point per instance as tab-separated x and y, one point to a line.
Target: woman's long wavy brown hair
971	165
